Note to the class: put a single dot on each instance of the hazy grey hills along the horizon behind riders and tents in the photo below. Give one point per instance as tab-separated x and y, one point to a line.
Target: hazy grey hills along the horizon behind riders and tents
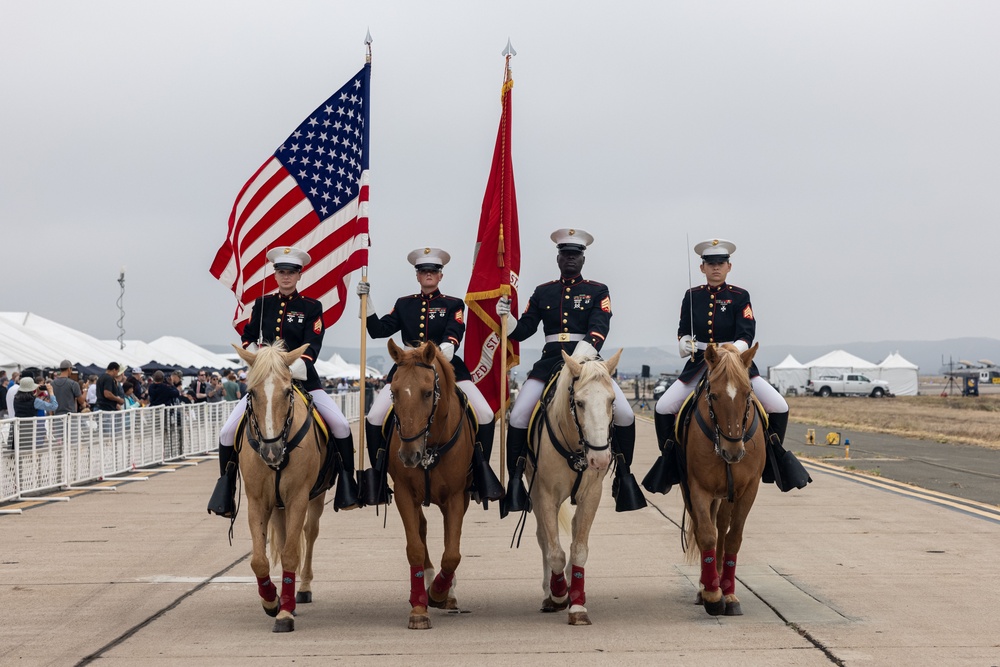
928	355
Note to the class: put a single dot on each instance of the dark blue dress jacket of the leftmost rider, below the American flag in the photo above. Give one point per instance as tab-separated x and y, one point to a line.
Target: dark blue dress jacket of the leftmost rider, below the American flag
296	319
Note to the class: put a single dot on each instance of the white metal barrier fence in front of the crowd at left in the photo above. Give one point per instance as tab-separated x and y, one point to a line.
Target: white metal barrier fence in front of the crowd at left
42	454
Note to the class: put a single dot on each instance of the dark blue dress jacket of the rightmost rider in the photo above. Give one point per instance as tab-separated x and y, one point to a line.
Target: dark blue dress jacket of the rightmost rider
721	314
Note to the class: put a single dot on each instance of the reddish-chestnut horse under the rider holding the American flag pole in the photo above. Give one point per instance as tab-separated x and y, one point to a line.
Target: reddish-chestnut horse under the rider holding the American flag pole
430	452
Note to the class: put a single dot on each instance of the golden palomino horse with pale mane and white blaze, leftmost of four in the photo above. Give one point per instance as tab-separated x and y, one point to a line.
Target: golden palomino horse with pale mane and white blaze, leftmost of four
281	452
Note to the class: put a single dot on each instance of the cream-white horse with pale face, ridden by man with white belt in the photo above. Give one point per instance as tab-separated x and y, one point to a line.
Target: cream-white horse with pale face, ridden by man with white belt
570	453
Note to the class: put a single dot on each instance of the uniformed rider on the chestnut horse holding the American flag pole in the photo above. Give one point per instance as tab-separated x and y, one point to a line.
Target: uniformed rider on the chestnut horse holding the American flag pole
425	316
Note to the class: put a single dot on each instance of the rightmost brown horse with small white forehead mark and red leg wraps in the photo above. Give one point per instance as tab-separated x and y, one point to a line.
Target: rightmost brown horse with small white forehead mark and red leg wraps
725	453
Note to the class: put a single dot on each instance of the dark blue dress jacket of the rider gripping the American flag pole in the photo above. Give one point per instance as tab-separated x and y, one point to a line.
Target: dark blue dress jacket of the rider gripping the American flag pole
419	318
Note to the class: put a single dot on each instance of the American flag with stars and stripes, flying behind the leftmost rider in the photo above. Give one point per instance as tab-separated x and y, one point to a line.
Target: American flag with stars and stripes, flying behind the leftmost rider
312	193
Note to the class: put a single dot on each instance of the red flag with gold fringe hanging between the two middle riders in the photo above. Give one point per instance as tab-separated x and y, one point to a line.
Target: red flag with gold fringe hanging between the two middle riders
496	265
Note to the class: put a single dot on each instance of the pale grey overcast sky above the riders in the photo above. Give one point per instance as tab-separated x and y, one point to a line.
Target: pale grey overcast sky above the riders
851	150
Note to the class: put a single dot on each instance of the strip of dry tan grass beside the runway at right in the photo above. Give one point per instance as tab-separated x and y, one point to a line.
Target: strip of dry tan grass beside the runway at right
971	420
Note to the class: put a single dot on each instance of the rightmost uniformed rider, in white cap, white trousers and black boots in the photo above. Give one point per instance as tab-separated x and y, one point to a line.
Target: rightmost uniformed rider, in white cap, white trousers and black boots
716	313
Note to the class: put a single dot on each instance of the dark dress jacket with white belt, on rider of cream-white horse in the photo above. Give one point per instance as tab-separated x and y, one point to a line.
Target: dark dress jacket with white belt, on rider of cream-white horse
566	306
